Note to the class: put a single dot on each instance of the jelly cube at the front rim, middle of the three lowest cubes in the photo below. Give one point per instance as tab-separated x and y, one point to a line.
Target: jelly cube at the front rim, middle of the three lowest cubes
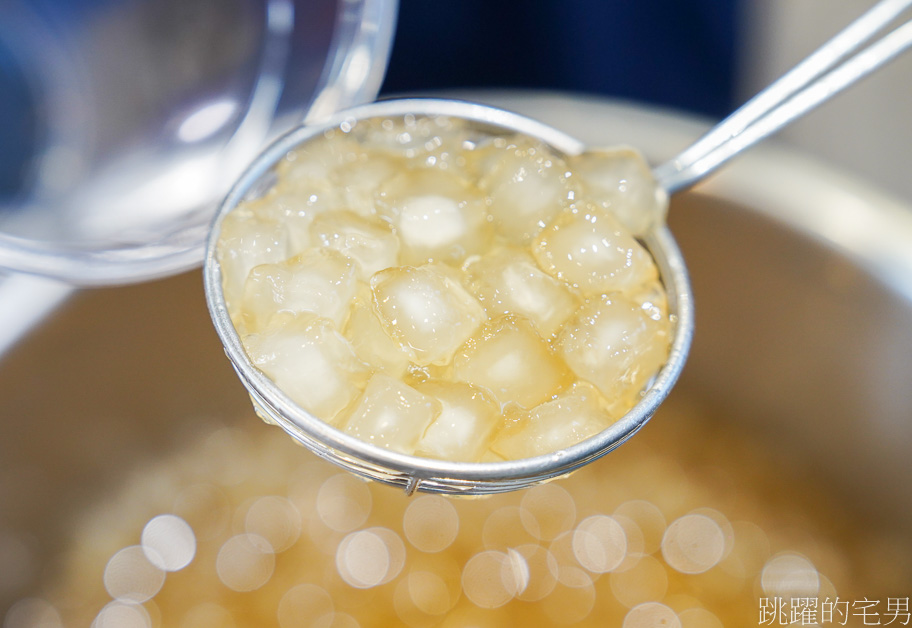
463	429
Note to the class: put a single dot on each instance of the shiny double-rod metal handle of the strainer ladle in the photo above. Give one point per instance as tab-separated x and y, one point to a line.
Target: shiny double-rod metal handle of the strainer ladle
803	88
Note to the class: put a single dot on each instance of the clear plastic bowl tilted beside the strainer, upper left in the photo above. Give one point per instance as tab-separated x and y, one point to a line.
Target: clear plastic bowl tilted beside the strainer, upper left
126	123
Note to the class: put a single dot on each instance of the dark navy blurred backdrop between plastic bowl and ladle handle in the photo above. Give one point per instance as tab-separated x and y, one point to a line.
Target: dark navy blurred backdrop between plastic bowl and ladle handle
667	52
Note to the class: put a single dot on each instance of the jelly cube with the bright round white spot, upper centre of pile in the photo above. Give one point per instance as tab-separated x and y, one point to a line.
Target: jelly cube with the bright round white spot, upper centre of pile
436	215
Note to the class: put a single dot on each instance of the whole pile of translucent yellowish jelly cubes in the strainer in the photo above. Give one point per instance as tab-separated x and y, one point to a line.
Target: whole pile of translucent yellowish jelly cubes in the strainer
446	291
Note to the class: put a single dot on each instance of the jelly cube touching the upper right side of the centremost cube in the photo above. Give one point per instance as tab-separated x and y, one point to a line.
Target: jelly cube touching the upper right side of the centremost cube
511	282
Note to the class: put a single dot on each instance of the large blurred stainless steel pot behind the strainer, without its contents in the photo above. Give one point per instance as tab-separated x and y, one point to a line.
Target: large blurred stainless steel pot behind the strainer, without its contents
803	286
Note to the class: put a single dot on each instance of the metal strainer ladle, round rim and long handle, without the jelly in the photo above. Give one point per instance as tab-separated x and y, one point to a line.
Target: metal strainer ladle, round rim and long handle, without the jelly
800	90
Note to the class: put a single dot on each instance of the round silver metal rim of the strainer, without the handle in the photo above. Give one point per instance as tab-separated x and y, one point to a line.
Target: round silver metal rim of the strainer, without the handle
425	473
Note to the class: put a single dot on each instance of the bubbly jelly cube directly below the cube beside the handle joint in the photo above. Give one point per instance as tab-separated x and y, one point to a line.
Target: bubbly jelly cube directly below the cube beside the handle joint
588	248
